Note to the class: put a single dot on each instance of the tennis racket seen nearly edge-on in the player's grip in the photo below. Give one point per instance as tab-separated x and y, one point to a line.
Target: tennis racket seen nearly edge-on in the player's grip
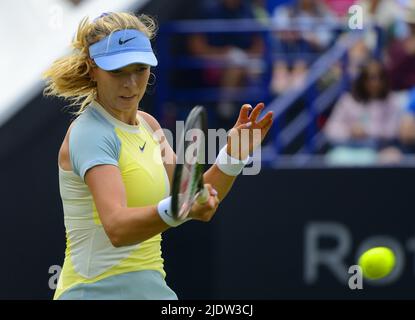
188	185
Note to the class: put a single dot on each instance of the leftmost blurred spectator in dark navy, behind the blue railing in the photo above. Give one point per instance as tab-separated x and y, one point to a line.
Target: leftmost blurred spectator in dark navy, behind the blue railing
235	49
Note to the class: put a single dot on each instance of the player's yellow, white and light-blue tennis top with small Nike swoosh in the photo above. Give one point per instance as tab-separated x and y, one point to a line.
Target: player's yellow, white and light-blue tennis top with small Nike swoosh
98	138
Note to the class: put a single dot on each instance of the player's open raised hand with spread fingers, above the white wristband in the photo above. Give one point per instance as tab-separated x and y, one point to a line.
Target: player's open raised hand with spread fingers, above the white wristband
249	131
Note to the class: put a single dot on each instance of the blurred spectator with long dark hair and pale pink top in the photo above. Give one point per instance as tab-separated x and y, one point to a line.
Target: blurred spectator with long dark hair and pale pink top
368	117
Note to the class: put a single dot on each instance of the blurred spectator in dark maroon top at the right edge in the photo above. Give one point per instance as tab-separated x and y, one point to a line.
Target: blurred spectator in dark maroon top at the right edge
401	56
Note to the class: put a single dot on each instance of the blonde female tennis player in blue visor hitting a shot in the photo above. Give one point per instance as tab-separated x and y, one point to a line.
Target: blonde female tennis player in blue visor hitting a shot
115	194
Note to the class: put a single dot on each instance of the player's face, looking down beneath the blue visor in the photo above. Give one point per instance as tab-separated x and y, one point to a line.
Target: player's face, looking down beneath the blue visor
123	88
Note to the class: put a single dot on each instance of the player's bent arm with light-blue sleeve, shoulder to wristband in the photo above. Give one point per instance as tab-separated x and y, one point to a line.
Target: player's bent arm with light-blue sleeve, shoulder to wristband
94	153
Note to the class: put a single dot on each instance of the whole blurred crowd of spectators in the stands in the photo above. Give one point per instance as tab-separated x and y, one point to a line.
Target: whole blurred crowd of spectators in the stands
375	112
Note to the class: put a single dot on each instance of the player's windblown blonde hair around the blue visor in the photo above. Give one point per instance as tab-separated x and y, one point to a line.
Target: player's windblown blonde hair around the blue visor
69	76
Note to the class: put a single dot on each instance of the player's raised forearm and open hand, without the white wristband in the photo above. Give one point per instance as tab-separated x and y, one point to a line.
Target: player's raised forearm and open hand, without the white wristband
247	120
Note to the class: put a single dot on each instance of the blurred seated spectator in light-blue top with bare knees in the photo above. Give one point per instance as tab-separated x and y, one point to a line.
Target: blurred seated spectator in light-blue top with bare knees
295	49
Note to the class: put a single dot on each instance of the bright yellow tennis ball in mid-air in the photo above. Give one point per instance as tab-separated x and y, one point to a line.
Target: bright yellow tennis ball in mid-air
377	263
